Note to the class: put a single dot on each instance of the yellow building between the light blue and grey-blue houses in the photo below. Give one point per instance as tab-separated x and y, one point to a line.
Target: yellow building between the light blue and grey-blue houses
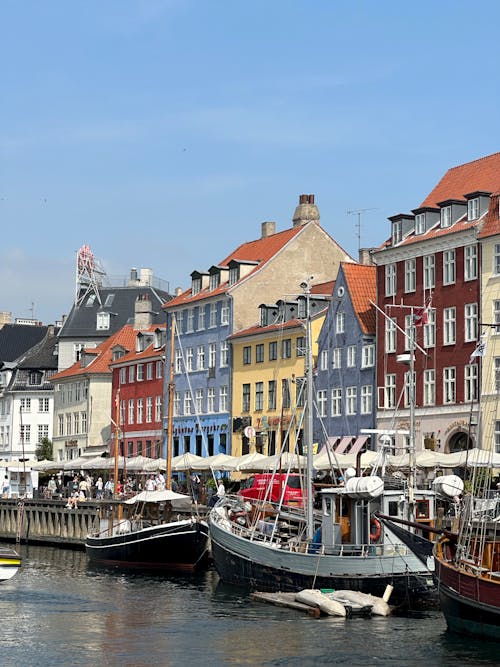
268	392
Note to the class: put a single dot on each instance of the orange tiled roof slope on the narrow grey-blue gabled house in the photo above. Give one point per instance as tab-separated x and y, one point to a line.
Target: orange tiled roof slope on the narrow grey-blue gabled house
361	283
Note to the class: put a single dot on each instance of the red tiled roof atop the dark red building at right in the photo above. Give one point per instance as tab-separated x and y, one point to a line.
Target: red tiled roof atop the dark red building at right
480	175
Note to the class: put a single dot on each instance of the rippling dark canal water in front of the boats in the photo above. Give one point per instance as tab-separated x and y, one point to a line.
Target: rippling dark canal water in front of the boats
59	610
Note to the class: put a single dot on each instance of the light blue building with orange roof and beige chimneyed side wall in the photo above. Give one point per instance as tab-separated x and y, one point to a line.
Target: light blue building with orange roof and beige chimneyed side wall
223	300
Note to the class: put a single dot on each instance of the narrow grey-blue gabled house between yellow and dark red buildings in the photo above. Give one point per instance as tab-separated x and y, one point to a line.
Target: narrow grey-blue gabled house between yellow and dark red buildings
345	386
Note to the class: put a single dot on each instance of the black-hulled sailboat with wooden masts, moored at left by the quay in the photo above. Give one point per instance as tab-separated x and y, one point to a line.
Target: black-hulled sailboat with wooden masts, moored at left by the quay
152	531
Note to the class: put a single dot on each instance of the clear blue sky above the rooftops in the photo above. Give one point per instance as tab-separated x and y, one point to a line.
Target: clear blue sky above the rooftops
163	132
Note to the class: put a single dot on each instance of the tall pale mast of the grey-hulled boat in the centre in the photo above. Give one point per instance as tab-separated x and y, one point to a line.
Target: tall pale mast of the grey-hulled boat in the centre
308	422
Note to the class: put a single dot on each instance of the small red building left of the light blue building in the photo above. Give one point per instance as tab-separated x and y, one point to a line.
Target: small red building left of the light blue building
137	388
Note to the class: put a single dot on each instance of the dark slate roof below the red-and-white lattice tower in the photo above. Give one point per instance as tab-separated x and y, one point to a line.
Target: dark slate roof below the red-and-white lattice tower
81	321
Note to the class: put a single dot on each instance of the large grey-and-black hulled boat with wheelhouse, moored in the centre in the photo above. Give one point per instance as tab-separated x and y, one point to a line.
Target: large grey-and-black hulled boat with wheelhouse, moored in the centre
272	547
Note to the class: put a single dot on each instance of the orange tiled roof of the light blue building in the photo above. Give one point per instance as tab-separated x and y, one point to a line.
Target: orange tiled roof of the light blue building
260	251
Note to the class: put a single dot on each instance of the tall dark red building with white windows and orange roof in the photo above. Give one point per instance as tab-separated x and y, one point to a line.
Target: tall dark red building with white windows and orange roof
428	286
